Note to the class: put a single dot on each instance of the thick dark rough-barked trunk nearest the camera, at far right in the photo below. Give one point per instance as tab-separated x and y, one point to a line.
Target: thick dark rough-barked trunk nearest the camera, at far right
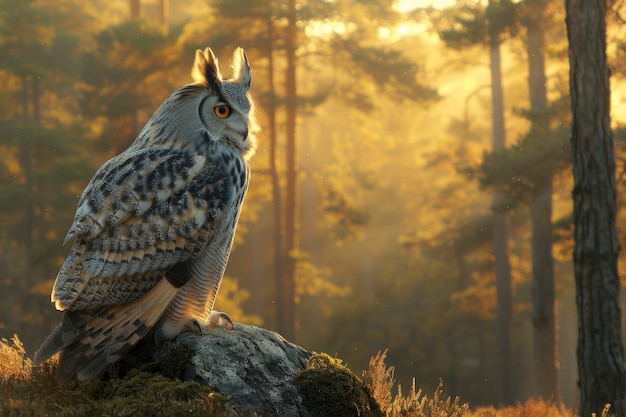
600	349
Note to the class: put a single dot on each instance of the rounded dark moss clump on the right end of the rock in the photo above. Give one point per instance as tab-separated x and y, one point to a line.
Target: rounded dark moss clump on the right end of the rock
330	389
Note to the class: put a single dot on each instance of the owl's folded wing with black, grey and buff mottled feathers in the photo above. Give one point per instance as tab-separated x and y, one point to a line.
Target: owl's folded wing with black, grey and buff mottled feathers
147	212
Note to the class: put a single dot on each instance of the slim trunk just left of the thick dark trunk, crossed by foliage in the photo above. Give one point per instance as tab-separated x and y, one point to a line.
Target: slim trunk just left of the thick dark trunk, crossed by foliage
545	341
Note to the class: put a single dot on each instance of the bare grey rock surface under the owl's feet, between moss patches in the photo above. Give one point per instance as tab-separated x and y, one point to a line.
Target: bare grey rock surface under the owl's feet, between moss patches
253	367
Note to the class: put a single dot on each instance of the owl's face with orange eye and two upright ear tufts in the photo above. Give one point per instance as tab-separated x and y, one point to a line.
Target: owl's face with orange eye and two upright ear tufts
226	111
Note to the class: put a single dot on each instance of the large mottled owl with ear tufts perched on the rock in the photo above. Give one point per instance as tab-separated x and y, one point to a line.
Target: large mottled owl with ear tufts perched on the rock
155	225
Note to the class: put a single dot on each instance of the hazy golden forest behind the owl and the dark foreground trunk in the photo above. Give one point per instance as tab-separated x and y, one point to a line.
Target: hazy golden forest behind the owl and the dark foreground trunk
377	190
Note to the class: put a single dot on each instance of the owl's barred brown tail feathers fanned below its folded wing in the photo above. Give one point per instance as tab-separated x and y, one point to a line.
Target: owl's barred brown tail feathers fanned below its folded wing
91	341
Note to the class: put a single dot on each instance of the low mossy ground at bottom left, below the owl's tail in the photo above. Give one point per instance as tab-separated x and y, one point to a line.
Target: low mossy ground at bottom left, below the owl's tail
138	393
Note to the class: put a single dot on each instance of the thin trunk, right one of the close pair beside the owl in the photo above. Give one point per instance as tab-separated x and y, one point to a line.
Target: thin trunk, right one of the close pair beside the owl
291	205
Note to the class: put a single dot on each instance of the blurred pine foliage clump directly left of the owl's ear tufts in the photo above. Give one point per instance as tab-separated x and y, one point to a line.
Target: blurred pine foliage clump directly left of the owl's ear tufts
125	77
